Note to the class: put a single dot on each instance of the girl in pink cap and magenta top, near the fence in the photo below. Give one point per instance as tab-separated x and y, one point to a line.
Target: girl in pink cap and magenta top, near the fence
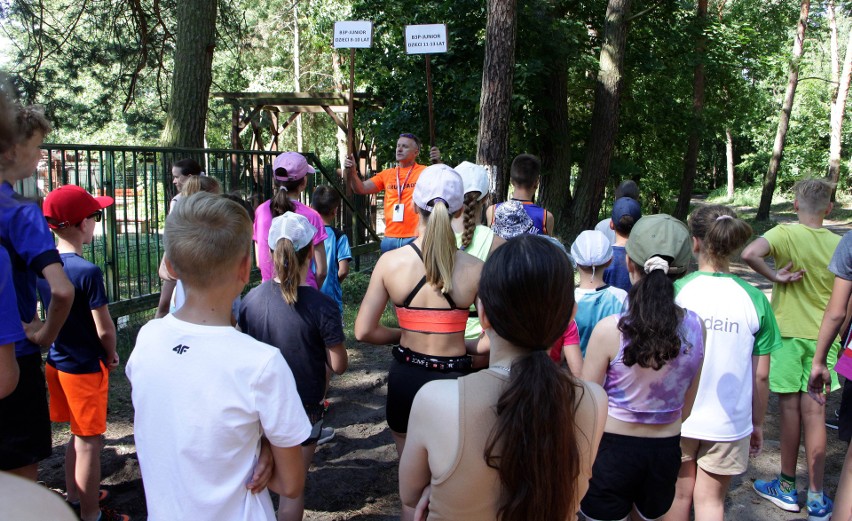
289	170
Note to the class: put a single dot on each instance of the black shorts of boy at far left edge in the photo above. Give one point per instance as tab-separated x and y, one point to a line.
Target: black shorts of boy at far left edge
25	418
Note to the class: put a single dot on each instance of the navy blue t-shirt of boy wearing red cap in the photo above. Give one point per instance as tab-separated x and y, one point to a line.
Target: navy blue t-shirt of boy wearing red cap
78	349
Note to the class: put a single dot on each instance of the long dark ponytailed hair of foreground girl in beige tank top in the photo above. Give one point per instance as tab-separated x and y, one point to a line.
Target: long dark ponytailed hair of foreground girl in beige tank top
526	290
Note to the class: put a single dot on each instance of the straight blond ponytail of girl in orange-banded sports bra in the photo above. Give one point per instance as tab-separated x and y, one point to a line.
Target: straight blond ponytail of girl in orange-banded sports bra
439	247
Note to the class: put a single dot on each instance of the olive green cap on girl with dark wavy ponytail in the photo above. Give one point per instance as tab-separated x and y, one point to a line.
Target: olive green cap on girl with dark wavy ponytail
663	236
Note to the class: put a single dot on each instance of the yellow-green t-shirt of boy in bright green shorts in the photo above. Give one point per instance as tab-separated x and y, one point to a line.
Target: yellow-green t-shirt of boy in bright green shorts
799	306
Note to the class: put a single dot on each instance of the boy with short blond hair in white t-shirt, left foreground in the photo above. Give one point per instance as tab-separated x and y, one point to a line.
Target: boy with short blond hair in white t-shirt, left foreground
212	402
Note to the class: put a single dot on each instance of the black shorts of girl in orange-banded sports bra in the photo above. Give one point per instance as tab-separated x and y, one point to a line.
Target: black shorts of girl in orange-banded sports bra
404	380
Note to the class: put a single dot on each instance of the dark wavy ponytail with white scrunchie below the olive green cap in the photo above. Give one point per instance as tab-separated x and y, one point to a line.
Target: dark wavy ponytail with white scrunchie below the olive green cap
650	325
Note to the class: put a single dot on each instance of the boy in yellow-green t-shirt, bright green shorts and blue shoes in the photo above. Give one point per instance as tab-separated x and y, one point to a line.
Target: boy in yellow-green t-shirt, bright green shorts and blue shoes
801	289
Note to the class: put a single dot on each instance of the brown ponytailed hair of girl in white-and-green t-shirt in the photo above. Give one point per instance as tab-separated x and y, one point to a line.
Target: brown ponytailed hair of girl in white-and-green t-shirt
720	231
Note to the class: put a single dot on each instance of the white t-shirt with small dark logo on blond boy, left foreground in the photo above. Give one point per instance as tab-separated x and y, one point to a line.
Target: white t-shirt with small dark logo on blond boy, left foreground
203	397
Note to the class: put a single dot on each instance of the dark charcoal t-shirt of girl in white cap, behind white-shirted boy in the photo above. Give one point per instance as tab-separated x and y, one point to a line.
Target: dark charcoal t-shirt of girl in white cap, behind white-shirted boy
301	332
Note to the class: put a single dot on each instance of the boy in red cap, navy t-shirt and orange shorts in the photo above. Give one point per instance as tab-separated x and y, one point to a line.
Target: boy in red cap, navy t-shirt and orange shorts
79	361
